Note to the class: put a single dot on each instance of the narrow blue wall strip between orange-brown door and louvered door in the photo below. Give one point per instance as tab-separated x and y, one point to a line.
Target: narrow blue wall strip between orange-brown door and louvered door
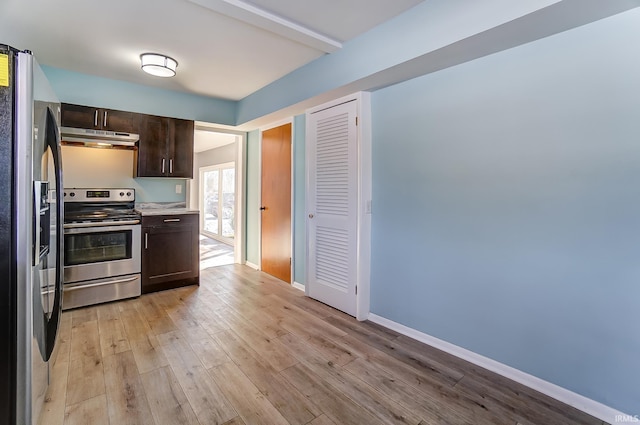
299	207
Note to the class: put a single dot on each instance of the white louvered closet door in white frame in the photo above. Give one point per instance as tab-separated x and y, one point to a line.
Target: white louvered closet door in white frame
332	203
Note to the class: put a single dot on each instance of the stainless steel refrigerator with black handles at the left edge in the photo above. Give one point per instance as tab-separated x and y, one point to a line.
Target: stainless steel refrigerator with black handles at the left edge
31	242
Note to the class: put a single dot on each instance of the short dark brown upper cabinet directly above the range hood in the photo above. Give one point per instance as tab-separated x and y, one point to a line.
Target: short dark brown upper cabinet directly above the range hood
79	116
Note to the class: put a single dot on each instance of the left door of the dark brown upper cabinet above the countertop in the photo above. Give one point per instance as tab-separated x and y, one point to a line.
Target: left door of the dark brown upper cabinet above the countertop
152	156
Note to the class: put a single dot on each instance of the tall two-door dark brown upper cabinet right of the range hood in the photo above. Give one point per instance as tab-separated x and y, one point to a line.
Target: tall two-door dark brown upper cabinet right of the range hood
165	148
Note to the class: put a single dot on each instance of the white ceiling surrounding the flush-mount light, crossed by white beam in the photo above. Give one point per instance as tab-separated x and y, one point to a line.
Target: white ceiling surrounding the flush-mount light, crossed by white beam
225	48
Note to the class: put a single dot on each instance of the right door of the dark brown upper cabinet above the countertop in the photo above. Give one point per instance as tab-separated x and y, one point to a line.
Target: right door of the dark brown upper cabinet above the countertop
181	148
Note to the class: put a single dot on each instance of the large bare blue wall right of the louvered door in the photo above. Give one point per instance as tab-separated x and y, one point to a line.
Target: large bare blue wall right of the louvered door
507	208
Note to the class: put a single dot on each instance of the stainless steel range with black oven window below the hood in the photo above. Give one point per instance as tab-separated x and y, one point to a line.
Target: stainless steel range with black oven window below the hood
101	245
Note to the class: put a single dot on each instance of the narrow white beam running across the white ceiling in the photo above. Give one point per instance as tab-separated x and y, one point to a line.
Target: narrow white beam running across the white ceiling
268	21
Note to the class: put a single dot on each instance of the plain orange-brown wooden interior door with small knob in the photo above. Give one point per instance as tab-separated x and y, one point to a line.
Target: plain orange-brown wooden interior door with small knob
276	202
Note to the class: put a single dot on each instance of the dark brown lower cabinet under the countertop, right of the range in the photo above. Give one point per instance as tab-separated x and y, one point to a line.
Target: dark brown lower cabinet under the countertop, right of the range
170	252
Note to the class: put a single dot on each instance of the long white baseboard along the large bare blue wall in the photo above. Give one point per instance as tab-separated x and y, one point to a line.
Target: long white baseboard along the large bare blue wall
578	401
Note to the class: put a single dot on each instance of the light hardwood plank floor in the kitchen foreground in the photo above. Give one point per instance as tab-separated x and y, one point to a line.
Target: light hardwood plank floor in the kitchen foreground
246	348
